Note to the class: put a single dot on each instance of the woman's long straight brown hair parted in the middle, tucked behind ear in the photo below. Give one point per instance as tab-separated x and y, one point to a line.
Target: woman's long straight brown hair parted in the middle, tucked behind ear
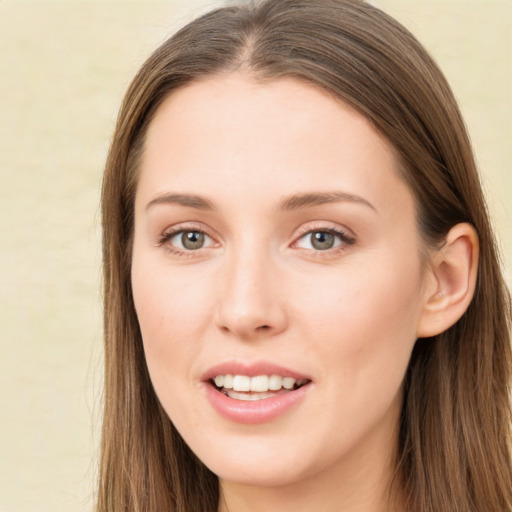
454	450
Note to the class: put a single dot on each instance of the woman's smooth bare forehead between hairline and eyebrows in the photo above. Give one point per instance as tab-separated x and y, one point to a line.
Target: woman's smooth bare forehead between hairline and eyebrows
232	135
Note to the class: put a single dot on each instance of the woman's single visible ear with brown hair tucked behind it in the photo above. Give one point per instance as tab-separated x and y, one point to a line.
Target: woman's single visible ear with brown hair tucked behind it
450	281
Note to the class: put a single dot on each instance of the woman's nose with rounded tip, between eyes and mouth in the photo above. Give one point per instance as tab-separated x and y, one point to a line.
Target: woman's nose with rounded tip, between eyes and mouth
250	302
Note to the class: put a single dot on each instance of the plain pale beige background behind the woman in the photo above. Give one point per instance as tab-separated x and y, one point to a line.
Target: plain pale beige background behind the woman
64	66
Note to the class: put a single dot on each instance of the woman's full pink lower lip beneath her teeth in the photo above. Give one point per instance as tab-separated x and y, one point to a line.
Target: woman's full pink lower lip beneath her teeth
257	411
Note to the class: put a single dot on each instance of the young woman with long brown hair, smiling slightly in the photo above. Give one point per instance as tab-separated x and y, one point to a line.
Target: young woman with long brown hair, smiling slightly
303	301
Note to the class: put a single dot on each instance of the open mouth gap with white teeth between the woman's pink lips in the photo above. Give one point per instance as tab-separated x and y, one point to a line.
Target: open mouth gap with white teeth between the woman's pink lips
259	387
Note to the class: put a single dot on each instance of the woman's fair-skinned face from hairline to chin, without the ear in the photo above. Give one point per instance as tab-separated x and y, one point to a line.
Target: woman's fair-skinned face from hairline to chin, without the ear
275	247
